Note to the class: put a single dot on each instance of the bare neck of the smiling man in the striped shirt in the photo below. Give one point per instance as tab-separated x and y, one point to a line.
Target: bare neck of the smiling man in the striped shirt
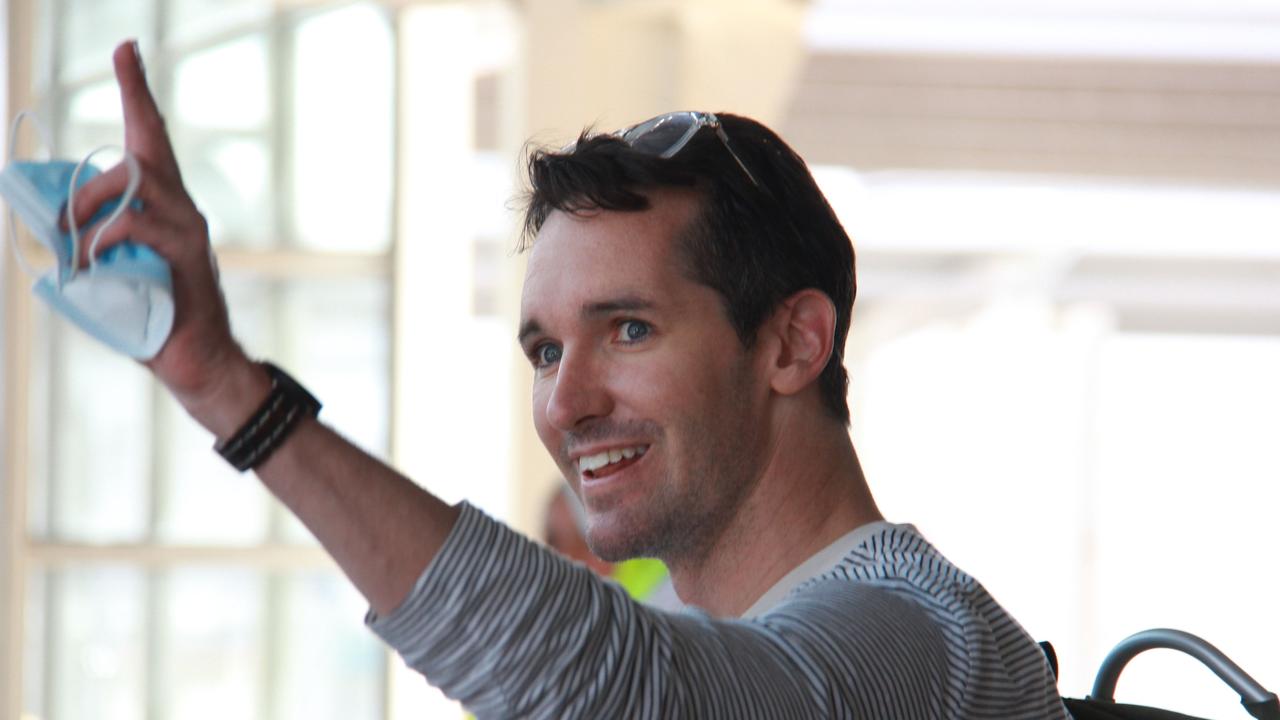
811	494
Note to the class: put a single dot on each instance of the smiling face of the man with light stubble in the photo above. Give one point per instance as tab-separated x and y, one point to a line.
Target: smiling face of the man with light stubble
643	393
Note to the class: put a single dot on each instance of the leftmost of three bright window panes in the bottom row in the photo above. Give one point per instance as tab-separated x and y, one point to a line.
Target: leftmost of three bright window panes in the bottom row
97	662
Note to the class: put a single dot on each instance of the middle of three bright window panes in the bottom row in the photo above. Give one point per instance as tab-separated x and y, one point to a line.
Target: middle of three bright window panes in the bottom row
212	649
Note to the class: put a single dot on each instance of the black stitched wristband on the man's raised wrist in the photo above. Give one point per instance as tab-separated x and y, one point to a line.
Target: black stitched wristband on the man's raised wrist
285	408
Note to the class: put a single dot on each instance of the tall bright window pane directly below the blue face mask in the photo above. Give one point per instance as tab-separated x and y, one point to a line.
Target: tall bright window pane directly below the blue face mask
99	441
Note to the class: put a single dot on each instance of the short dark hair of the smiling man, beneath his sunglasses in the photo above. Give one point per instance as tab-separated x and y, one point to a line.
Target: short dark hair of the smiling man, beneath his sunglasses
756	245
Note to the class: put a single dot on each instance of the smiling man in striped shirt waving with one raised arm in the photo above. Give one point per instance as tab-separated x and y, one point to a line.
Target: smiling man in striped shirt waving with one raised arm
685	306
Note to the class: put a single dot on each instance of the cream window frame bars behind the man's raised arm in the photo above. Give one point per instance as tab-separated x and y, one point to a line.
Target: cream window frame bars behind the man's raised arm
25	554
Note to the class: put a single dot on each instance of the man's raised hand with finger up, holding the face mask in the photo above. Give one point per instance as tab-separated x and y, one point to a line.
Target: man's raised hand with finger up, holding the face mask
202	363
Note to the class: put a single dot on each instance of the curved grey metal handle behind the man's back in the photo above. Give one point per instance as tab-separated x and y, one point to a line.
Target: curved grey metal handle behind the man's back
1258	701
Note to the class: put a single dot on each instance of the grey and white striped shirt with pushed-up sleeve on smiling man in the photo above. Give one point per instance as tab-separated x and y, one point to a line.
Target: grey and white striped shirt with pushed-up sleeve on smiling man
893	631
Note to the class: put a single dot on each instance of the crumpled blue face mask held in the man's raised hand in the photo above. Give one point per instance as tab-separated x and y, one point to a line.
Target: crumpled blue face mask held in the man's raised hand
126	297
